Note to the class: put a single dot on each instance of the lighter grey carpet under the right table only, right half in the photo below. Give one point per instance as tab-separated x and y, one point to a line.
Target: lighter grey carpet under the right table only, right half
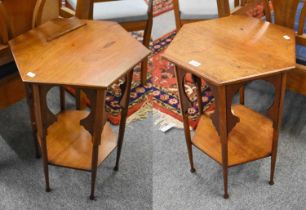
174	187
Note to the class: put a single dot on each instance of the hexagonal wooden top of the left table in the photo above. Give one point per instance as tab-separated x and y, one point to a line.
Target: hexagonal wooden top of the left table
94	55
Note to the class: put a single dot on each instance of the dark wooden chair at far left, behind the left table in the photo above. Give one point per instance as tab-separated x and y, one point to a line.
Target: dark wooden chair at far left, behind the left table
17	17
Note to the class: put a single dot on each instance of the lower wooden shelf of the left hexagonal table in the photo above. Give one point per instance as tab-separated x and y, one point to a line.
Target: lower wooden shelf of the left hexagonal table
70	145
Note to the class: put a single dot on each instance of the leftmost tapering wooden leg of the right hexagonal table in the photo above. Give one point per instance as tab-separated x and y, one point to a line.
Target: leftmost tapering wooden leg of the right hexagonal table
185	103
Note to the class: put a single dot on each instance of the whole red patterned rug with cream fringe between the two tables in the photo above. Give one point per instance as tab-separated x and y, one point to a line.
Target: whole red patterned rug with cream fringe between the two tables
160	92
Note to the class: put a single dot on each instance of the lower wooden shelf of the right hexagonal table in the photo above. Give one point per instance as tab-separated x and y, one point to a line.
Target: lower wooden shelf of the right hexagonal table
250	139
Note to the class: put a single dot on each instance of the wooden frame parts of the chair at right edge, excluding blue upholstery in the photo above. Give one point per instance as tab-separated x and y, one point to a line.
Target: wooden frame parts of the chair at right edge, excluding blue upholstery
285	13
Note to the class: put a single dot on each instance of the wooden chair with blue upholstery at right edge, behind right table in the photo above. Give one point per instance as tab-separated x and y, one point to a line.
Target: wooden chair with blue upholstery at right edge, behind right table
291	13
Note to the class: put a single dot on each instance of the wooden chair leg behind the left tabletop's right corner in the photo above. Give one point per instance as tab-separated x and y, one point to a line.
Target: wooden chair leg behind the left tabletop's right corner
146	42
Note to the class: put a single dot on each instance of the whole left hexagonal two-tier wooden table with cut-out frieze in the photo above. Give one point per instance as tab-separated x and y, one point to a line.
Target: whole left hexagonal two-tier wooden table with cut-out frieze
88	55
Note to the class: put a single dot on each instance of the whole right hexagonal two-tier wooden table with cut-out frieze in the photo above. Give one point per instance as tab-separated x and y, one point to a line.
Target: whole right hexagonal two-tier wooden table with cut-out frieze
229	53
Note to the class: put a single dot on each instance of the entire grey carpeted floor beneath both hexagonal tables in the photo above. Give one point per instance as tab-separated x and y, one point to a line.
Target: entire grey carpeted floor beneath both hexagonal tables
154	172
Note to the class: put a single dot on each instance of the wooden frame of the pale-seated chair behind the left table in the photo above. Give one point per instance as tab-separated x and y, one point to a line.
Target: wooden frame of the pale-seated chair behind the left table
84	10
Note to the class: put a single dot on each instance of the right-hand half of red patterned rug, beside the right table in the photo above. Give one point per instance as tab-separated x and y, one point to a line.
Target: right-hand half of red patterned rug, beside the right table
165	96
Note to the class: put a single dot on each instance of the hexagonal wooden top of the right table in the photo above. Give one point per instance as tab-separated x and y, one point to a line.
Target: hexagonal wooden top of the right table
233	49
